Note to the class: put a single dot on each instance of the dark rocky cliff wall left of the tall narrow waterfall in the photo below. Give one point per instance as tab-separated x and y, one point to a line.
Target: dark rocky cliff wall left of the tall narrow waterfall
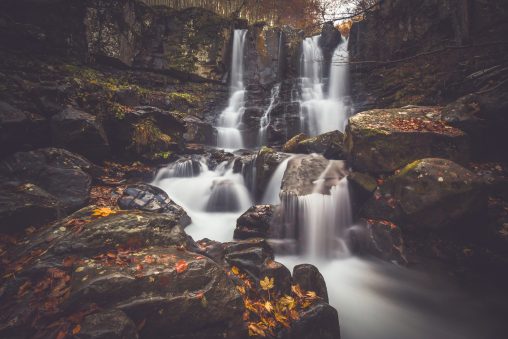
123	33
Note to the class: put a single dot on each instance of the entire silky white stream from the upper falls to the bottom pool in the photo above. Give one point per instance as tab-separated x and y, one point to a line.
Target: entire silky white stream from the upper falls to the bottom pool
374	300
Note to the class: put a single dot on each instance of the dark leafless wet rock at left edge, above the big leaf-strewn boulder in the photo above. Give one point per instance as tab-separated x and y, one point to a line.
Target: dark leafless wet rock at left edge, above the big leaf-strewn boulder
63	174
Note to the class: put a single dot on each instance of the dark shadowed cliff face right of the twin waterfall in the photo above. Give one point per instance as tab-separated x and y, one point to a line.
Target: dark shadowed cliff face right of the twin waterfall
443	31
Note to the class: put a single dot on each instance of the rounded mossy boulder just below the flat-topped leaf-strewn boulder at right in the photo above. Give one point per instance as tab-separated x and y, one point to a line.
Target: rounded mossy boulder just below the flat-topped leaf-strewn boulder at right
428	194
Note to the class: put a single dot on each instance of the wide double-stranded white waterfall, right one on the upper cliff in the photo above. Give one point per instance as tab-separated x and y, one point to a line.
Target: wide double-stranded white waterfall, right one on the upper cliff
322	112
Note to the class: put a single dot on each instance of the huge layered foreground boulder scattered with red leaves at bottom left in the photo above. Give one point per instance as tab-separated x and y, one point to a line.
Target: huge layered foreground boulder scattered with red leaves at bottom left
129	267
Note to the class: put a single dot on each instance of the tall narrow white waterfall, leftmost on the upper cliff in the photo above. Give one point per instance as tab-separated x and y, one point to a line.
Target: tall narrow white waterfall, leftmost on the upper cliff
229	122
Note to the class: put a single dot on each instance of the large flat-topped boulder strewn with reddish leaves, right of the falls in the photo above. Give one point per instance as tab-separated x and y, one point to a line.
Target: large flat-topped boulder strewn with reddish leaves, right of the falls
383	140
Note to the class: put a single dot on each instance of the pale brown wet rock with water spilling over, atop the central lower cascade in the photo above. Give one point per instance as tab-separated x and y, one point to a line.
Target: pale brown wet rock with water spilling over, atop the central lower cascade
301	173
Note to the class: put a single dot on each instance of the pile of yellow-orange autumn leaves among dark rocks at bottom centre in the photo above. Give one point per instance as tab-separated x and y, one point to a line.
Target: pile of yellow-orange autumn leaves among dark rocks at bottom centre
266	310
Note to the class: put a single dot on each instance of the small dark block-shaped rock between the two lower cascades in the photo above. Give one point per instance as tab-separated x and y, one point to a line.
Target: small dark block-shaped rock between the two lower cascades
254	223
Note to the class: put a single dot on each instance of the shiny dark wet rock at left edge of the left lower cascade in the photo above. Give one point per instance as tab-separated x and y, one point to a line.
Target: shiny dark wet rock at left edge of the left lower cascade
149	198
